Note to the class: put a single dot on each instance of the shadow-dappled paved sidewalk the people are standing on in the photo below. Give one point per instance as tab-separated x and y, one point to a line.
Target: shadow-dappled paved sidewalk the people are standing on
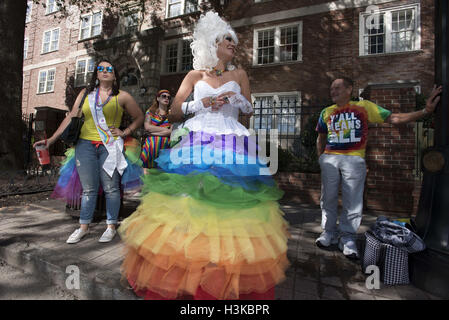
33	238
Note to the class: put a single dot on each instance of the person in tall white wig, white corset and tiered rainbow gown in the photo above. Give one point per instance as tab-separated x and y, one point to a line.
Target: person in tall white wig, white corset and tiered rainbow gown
209	225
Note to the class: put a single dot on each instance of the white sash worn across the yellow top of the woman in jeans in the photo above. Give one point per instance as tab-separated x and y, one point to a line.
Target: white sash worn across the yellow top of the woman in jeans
115	159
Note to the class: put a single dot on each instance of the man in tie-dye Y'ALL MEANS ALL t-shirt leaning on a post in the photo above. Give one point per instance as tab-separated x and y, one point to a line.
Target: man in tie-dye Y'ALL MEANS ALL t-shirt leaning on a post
341	144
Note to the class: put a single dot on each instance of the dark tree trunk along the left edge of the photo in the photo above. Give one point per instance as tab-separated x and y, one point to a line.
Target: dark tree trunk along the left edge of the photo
12	29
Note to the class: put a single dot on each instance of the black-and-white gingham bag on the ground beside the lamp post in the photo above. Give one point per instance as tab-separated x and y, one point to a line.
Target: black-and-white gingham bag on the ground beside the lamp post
392	261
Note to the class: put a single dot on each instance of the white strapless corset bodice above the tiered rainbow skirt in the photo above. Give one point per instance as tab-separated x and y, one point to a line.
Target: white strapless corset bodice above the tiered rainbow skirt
223	121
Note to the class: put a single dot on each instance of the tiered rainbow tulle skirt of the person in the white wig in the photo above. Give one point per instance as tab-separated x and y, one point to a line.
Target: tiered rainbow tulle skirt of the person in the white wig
209	225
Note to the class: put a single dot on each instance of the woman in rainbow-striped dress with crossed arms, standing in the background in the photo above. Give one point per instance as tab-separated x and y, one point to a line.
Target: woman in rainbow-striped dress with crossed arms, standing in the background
158	129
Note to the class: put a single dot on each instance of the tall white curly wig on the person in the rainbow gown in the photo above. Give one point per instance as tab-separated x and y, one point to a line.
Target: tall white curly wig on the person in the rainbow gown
209	31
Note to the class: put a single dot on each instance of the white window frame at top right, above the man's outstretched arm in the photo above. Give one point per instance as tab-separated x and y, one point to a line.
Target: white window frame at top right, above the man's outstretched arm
388	29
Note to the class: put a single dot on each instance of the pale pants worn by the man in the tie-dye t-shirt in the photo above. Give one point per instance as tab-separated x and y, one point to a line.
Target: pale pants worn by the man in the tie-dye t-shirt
351	172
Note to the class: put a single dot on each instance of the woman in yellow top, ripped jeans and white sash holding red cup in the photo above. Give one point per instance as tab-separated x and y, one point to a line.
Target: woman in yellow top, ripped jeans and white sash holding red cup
99	157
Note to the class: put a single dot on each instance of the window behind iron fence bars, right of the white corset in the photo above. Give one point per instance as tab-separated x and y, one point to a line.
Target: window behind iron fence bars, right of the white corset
277	111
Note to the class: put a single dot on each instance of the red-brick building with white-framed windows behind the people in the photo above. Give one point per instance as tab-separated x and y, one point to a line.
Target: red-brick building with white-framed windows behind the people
291	49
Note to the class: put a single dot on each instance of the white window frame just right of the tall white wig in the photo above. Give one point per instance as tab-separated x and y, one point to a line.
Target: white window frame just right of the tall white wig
277	43
